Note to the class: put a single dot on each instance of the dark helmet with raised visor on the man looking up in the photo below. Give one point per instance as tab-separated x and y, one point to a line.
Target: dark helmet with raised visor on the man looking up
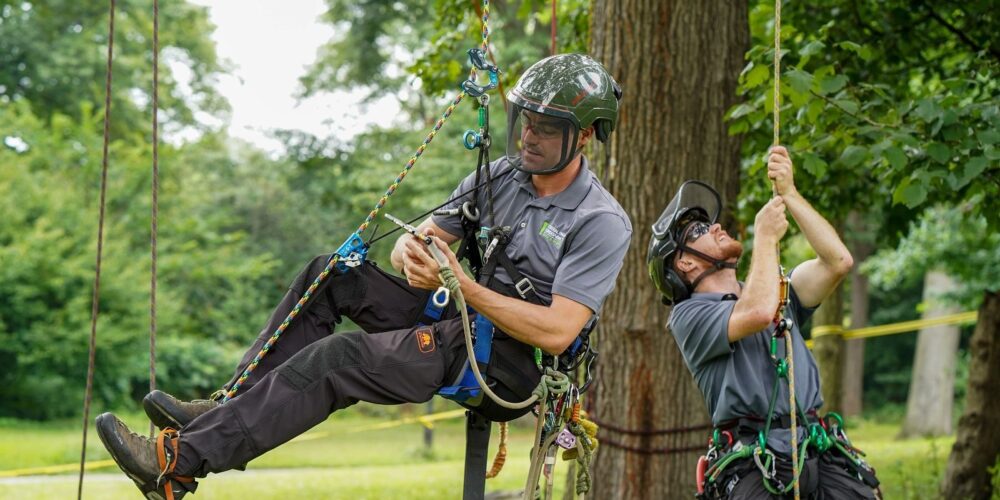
694	201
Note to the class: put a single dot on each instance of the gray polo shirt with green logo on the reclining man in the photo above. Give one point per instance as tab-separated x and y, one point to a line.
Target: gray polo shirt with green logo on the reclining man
571	243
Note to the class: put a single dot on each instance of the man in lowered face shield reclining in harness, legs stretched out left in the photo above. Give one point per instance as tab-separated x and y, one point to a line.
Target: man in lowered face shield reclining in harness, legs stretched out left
552	241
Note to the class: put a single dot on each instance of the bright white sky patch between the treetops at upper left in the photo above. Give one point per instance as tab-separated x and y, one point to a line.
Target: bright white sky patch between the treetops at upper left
270	44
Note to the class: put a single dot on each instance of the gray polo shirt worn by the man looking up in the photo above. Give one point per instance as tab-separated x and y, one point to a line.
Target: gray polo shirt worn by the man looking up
737	378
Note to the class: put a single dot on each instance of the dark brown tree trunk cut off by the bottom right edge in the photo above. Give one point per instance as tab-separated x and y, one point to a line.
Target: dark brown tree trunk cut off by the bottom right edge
977	446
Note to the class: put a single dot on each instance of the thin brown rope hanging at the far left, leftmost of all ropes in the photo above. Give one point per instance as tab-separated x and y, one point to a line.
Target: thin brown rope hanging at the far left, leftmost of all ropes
100	246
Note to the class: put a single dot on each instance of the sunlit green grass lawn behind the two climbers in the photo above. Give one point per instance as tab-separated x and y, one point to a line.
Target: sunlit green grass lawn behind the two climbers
337	461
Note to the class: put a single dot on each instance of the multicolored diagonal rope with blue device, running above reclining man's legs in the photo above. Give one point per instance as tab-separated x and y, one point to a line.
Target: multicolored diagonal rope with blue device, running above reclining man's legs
354	246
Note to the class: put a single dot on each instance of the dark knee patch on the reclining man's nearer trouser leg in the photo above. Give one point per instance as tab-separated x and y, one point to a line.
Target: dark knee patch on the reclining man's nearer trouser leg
312	363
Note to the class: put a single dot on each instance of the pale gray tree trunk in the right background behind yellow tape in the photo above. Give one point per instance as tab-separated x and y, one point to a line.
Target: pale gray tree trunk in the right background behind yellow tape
932	385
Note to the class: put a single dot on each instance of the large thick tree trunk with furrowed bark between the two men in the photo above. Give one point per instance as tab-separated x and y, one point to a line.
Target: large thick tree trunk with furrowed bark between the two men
678	64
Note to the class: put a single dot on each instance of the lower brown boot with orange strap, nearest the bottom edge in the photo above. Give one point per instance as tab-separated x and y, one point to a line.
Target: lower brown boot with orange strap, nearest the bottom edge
137	457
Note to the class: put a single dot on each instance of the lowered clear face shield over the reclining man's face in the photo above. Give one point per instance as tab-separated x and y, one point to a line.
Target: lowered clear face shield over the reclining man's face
540	143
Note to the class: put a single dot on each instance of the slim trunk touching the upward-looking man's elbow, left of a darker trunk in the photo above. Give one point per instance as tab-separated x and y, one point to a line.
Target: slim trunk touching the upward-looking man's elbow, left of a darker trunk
829	349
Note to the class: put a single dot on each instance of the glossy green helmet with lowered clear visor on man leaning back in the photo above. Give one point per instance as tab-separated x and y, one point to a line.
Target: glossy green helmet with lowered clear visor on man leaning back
551	103
